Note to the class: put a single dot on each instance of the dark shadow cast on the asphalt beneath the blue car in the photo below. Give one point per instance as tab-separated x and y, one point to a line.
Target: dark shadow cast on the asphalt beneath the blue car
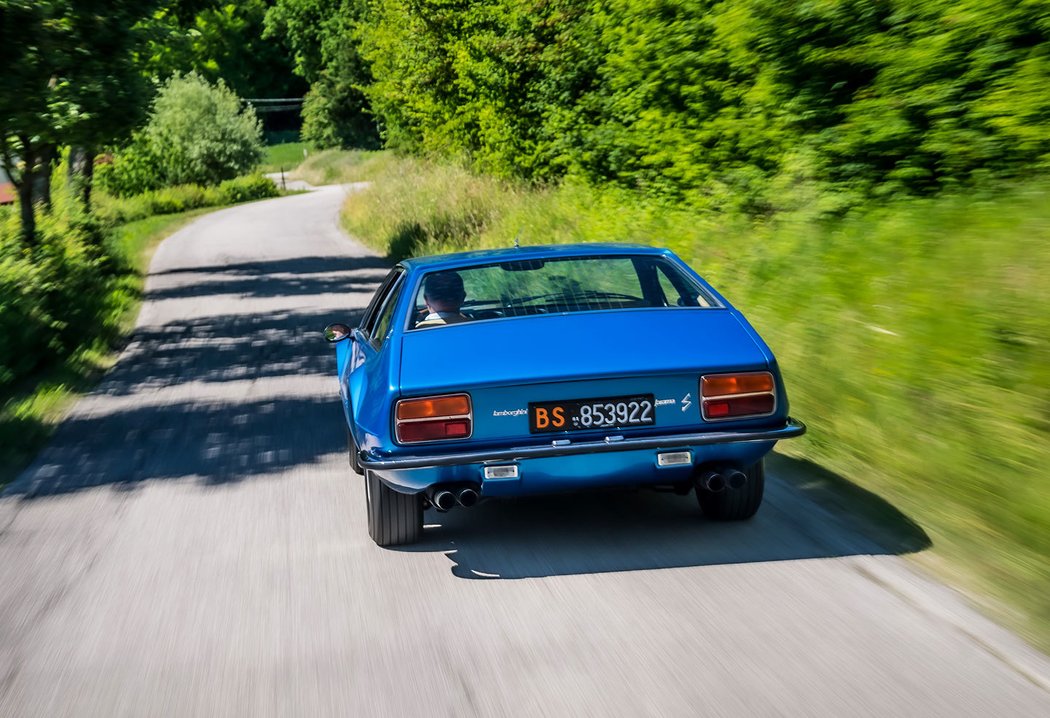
631	531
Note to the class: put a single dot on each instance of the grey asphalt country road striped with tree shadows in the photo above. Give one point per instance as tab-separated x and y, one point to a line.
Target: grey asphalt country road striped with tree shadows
194	544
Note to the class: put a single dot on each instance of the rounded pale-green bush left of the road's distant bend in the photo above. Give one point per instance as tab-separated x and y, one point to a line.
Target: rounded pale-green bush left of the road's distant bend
198	134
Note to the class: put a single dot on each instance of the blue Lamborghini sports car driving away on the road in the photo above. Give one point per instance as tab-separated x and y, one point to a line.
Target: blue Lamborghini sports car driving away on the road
537	370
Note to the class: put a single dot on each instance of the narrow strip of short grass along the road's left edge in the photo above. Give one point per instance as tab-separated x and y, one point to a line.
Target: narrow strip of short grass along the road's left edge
32	409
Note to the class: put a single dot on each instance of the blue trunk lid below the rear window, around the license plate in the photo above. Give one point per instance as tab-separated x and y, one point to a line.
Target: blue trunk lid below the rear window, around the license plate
508	364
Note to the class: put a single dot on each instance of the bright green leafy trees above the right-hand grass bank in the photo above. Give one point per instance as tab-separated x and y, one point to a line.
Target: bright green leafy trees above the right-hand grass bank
737	104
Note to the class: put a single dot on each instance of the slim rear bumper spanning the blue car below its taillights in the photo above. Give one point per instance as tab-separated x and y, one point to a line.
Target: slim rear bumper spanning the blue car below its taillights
566	448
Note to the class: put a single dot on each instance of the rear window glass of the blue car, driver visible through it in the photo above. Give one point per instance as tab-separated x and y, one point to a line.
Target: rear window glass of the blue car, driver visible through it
514	289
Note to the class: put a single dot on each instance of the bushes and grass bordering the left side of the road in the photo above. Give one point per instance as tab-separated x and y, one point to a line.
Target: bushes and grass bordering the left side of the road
71	281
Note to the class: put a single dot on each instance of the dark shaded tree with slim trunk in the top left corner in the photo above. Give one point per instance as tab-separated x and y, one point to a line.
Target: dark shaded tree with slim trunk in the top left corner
70	78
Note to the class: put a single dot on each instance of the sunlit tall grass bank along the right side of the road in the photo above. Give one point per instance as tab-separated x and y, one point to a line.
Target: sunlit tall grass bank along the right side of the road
915	337
